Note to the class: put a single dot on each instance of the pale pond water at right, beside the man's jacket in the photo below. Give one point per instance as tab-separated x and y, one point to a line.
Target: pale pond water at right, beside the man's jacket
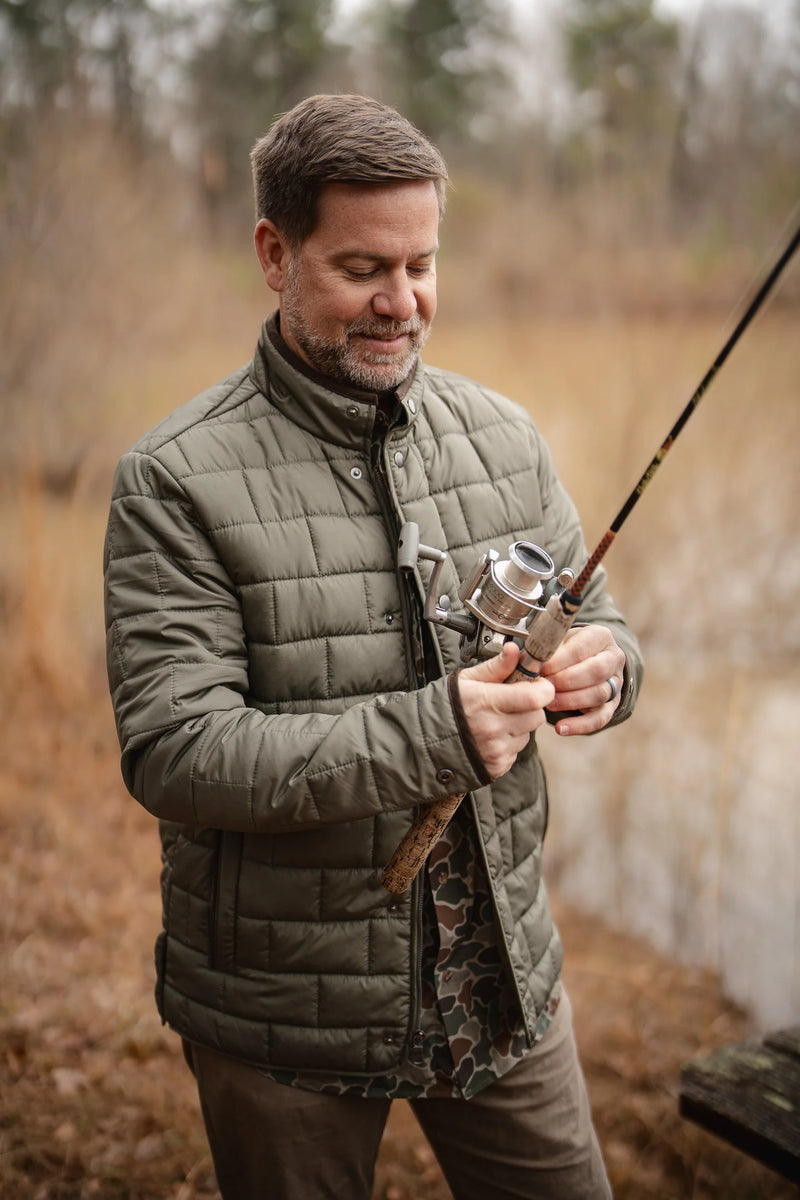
684	826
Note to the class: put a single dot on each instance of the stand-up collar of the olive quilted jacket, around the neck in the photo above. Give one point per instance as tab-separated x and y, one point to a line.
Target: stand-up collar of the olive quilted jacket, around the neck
324	407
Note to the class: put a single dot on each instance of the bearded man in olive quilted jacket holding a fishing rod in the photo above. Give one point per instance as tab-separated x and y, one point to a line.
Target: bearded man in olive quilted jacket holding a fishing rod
284	709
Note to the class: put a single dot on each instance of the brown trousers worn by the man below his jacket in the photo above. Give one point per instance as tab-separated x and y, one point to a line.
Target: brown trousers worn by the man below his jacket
527	1137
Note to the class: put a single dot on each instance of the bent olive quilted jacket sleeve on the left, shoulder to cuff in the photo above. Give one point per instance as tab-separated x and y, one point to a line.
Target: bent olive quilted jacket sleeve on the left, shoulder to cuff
194	751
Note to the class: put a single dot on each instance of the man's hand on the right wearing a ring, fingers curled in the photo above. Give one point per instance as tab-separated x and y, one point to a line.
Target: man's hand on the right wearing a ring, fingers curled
587	673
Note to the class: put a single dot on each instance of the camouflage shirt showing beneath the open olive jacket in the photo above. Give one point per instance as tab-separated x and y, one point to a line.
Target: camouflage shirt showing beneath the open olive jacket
471	1029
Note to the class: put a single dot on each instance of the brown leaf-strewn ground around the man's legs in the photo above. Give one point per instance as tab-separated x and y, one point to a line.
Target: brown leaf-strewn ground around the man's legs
95	1101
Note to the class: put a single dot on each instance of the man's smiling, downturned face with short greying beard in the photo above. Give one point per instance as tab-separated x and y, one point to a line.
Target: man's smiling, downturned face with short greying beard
359	296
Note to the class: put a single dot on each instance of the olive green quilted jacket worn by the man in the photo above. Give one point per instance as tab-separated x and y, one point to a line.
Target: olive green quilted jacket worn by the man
264	691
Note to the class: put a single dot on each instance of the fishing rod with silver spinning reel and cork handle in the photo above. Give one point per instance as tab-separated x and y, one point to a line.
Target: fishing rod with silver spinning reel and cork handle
525	598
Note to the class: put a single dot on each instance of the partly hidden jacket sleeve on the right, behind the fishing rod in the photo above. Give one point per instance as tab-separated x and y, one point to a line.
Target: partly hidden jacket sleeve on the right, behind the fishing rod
567	548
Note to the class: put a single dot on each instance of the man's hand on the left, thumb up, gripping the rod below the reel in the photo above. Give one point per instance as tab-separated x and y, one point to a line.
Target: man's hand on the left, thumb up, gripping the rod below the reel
502	717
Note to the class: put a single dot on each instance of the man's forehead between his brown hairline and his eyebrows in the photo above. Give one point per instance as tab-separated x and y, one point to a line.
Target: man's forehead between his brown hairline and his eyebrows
401	217
